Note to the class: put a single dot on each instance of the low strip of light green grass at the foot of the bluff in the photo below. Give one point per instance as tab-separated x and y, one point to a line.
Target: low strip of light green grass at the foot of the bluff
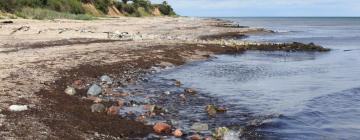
39	13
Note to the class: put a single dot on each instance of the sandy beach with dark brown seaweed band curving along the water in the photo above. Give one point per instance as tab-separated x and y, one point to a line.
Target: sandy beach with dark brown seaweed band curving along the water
38	79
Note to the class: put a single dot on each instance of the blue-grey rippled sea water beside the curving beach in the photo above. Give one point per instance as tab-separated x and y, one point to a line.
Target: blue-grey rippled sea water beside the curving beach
282	95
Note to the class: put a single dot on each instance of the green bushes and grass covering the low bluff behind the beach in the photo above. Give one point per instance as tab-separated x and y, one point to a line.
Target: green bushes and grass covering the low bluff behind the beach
74	9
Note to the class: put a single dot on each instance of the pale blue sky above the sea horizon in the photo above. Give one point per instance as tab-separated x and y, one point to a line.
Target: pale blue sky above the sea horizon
265	8
